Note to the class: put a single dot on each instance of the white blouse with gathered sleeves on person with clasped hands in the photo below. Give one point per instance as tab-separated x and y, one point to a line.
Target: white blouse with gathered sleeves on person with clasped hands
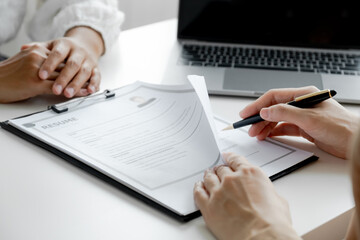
54	17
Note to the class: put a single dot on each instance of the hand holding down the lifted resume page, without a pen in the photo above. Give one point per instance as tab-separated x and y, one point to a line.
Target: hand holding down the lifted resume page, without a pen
238	201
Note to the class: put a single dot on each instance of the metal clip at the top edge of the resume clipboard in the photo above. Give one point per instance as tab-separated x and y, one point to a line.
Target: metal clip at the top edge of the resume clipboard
74	103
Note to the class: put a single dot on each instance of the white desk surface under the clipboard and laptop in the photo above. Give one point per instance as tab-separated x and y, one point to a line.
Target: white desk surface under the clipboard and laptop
44	197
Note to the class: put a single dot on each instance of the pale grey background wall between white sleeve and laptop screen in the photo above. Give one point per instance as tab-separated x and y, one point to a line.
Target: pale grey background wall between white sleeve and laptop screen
142	12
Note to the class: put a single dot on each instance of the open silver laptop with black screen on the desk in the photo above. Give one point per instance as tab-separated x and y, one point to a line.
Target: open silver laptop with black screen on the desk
244	48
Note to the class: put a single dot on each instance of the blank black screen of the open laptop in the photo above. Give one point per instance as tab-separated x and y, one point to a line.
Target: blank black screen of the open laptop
331	24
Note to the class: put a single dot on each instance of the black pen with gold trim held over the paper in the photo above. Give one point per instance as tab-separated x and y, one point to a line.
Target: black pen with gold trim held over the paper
304	101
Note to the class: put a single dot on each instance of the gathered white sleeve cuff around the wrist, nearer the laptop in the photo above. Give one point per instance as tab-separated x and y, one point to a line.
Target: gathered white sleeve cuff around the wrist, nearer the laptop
54	18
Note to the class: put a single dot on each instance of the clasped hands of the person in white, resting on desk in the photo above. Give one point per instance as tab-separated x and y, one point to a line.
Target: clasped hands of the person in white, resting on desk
64	66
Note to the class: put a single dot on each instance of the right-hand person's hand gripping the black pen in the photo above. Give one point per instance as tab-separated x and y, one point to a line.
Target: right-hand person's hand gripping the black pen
327	124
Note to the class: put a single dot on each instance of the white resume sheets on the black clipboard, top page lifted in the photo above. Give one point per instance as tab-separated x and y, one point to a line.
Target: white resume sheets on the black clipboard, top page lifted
156	140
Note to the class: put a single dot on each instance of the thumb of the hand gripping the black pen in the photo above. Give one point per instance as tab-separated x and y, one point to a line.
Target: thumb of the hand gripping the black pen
284	113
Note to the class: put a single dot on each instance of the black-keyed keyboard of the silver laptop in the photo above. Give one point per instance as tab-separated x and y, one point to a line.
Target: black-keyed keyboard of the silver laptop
272	59
